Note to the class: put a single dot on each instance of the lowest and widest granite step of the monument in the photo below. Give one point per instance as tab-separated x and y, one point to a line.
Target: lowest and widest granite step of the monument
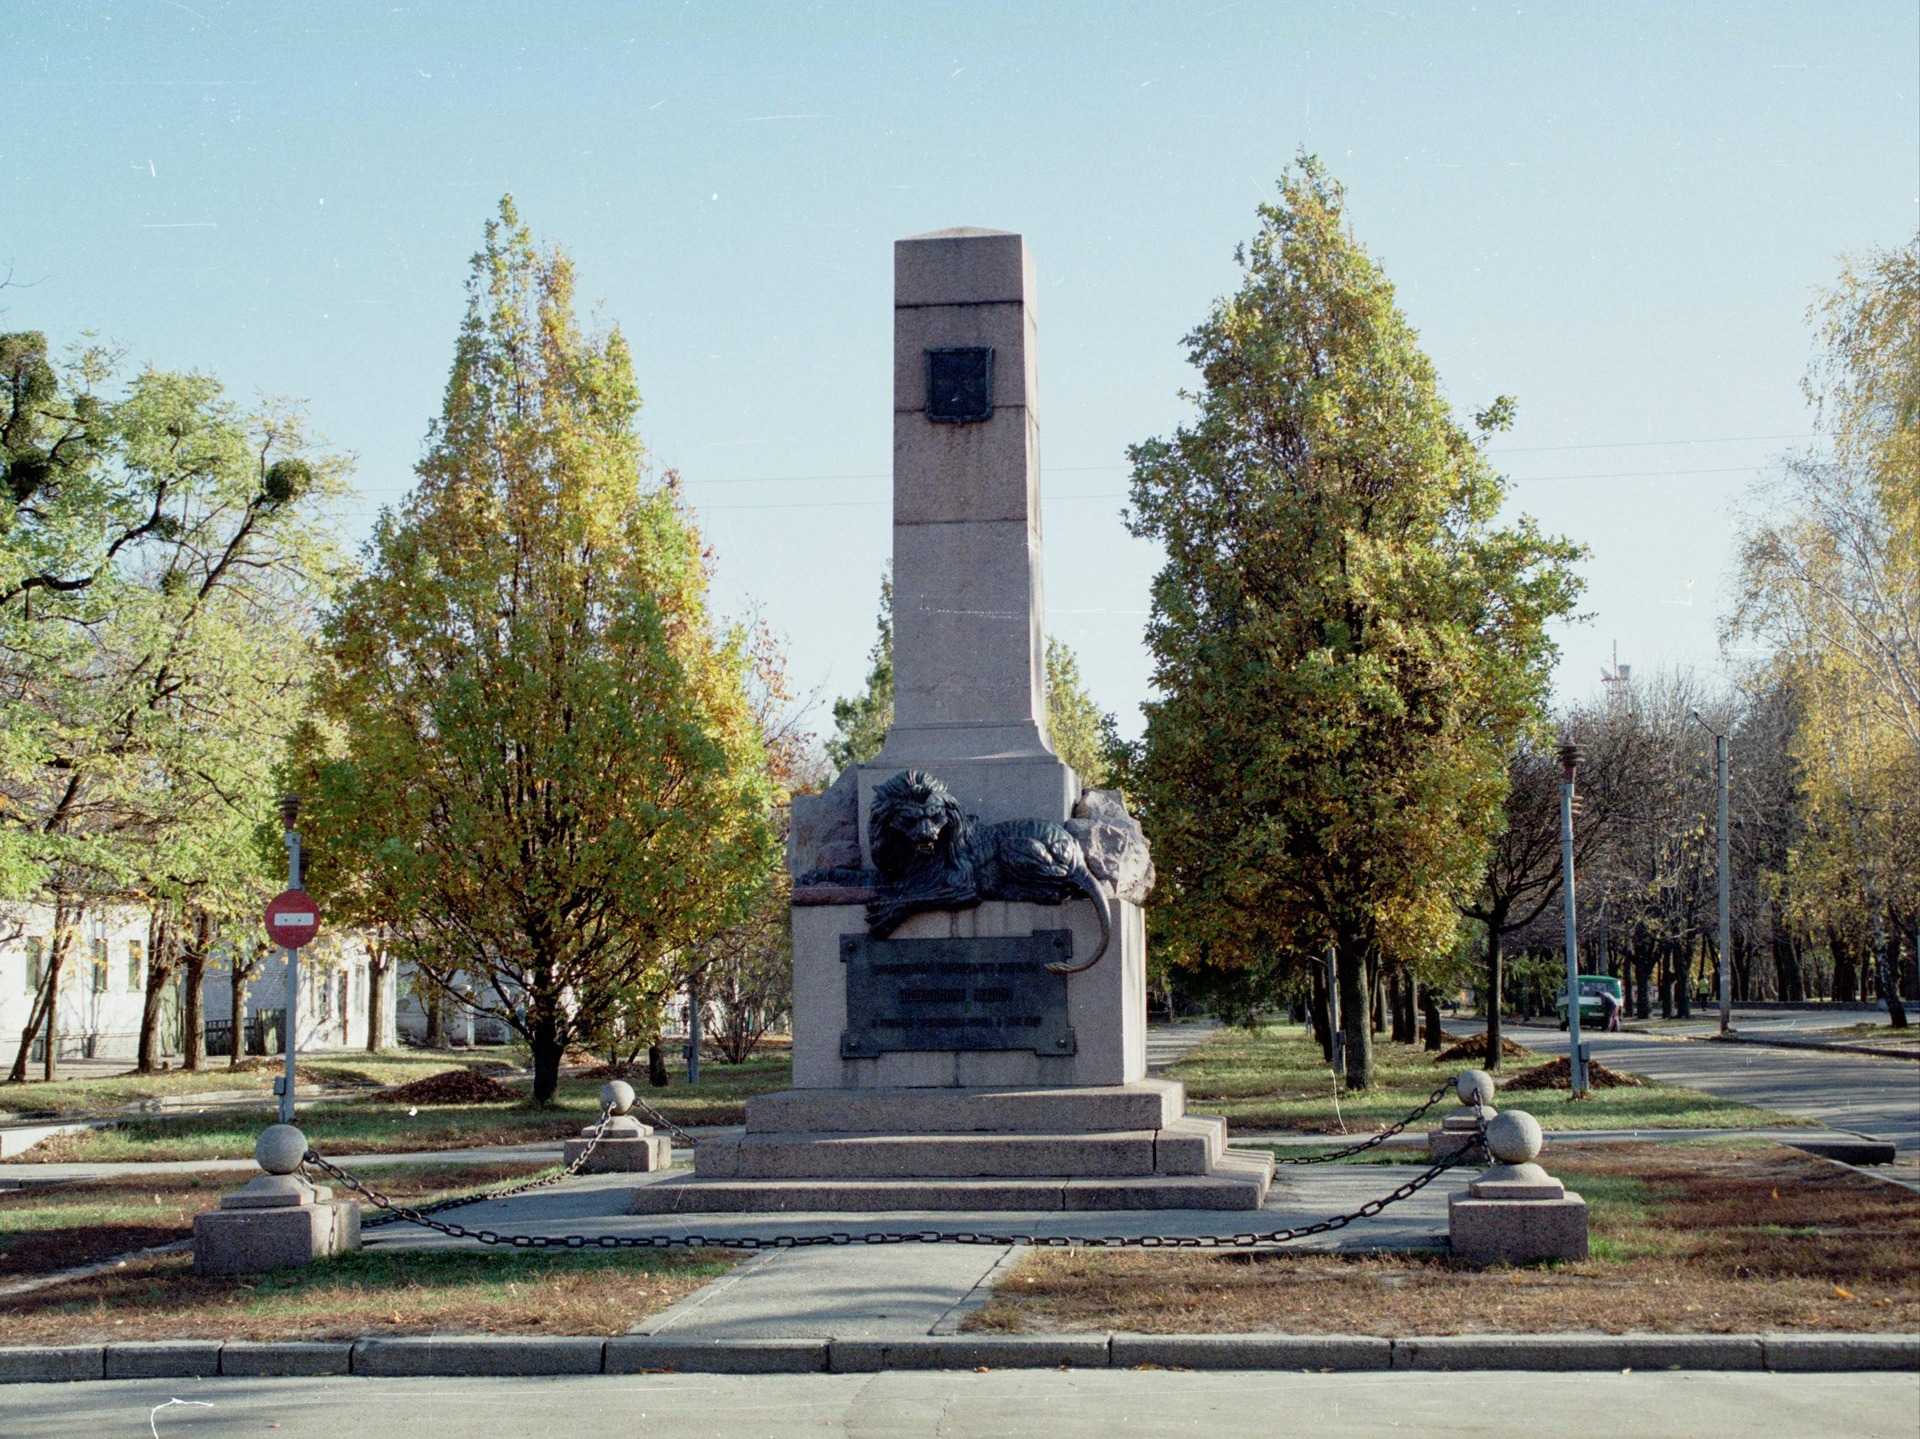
1232	1188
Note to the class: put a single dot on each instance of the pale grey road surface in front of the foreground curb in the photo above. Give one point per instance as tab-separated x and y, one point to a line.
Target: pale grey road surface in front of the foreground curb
997	1405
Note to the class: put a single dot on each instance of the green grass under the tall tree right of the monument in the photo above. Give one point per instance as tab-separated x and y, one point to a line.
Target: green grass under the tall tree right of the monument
1276	1079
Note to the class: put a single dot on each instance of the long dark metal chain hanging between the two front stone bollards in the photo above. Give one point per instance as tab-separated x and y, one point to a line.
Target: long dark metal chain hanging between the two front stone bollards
1245	1240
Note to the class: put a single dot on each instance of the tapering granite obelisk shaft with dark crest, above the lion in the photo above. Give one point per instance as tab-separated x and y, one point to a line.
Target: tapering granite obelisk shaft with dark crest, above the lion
969	618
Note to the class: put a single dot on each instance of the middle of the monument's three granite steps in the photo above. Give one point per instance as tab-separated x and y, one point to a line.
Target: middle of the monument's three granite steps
1124	1154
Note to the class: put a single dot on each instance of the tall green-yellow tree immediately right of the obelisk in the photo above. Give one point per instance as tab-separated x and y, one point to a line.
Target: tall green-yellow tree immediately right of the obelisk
1345	643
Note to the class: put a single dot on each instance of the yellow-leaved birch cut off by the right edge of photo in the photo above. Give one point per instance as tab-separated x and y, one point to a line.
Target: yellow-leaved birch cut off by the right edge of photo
1831	583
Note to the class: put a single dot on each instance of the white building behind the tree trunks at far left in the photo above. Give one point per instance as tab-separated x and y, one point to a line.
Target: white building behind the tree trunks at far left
103	988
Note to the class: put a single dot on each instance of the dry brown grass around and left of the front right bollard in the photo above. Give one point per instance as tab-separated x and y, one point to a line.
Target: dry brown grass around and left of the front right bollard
1712	1238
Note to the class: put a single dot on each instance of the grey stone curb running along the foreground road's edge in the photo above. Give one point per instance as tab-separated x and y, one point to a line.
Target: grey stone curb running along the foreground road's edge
483	1357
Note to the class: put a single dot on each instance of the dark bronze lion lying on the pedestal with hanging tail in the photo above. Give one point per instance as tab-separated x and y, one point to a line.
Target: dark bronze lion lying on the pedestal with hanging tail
934	856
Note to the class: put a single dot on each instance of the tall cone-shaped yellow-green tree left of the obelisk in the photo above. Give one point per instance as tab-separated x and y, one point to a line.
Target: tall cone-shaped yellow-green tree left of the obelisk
548	768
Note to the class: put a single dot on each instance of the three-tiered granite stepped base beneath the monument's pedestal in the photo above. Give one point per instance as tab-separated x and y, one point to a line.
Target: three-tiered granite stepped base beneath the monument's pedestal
994	1150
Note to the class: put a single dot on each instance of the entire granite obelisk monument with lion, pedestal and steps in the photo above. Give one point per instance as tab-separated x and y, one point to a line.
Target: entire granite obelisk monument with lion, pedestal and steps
969	942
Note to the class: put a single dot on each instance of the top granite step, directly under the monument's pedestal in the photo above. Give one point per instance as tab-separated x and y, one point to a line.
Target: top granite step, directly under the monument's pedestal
1140	1106
